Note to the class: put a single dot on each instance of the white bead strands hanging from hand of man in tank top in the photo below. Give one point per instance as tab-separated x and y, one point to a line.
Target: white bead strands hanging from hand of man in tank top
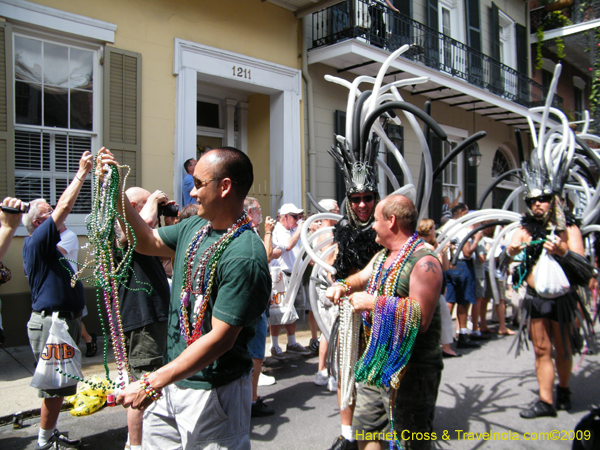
348	351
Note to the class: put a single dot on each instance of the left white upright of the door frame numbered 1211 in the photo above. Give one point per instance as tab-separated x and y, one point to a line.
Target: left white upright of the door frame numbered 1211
186	134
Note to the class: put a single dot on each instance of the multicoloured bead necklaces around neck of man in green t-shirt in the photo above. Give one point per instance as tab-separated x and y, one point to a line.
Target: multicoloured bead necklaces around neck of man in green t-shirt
203	276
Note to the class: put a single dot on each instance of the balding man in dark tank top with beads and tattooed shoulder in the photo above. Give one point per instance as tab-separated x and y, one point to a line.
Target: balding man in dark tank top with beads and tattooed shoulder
419	278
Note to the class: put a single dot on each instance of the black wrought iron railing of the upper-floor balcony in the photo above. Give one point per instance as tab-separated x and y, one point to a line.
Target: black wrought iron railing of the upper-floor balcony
384	28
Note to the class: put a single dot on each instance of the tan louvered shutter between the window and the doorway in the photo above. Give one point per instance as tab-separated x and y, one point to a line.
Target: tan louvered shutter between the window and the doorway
122	109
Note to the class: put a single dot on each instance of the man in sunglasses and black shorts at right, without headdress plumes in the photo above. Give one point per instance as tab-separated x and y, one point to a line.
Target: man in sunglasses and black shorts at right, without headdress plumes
533	236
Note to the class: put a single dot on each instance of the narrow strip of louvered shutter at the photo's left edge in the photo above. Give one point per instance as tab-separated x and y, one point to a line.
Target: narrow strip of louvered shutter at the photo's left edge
7	181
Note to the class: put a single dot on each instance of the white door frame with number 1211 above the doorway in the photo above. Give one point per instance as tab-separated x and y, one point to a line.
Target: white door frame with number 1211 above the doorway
194	61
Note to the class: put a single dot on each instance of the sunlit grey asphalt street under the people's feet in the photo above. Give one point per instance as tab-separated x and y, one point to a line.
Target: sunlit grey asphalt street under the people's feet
481	392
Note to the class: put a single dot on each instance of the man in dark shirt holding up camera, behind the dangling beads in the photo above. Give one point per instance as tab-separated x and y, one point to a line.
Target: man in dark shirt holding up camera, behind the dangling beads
144	304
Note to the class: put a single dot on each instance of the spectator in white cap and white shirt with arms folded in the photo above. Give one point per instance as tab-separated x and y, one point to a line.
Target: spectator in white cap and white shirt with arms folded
286	236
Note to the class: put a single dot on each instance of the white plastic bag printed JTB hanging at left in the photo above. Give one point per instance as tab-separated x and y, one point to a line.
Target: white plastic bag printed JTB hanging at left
60	352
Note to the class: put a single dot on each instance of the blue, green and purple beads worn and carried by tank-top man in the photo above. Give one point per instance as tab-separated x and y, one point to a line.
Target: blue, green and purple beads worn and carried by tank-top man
392	328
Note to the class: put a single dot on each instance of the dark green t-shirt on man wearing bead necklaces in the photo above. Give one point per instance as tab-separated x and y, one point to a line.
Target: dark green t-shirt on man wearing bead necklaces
240	294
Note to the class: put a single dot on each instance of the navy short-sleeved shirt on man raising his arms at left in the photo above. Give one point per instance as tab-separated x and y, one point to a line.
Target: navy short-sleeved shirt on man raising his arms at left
48	277
